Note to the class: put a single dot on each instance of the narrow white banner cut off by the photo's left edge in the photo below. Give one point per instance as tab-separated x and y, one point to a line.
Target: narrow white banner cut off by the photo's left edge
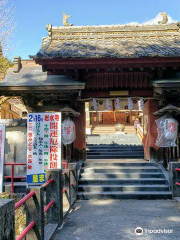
2	147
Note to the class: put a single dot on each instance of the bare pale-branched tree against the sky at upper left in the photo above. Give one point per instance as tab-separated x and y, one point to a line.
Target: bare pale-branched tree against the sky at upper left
7	24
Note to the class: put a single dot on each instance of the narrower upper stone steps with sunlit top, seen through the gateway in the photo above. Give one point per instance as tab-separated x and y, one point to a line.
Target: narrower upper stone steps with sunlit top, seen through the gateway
114	147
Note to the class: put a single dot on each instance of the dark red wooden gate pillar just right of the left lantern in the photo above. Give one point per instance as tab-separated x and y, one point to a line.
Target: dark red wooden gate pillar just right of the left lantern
80	124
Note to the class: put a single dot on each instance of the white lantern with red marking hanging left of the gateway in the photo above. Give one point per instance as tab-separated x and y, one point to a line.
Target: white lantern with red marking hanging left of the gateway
68	131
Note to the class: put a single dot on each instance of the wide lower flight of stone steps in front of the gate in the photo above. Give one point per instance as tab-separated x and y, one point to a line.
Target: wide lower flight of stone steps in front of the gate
124	179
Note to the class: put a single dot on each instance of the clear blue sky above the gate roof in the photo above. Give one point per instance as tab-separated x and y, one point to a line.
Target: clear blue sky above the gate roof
32	16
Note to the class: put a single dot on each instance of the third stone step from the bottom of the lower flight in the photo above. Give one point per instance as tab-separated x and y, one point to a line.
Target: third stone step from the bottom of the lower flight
124	181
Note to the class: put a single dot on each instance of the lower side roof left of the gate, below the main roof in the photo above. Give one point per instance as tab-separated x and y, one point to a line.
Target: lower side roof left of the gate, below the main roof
32	76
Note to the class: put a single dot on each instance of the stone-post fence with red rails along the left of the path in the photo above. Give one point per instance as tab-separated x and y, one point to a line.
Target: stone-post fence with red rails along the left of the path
45	206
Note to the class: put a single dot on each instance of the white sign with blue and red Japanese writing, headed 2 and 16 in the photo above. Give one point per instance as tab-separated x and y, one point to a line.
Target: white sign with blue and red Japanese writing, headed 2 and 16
43	145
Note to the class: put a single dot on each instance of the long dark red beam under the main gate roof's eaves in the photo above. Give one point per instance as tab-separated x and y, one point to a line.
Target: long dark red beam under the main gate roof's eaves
69	63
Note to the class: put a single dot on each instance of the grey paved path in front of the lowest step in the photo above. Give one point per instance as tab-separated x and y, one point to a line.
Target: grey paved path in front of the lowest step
118	219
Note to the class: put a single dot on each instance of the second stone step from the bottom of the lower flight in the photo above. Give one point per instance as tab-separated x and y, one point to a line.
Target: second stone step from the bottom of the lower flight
107	188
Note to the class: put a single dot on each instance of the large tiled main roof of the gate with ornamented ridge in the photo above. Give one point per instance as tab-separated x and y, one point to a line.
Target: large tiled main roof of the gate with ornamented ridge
119	41
